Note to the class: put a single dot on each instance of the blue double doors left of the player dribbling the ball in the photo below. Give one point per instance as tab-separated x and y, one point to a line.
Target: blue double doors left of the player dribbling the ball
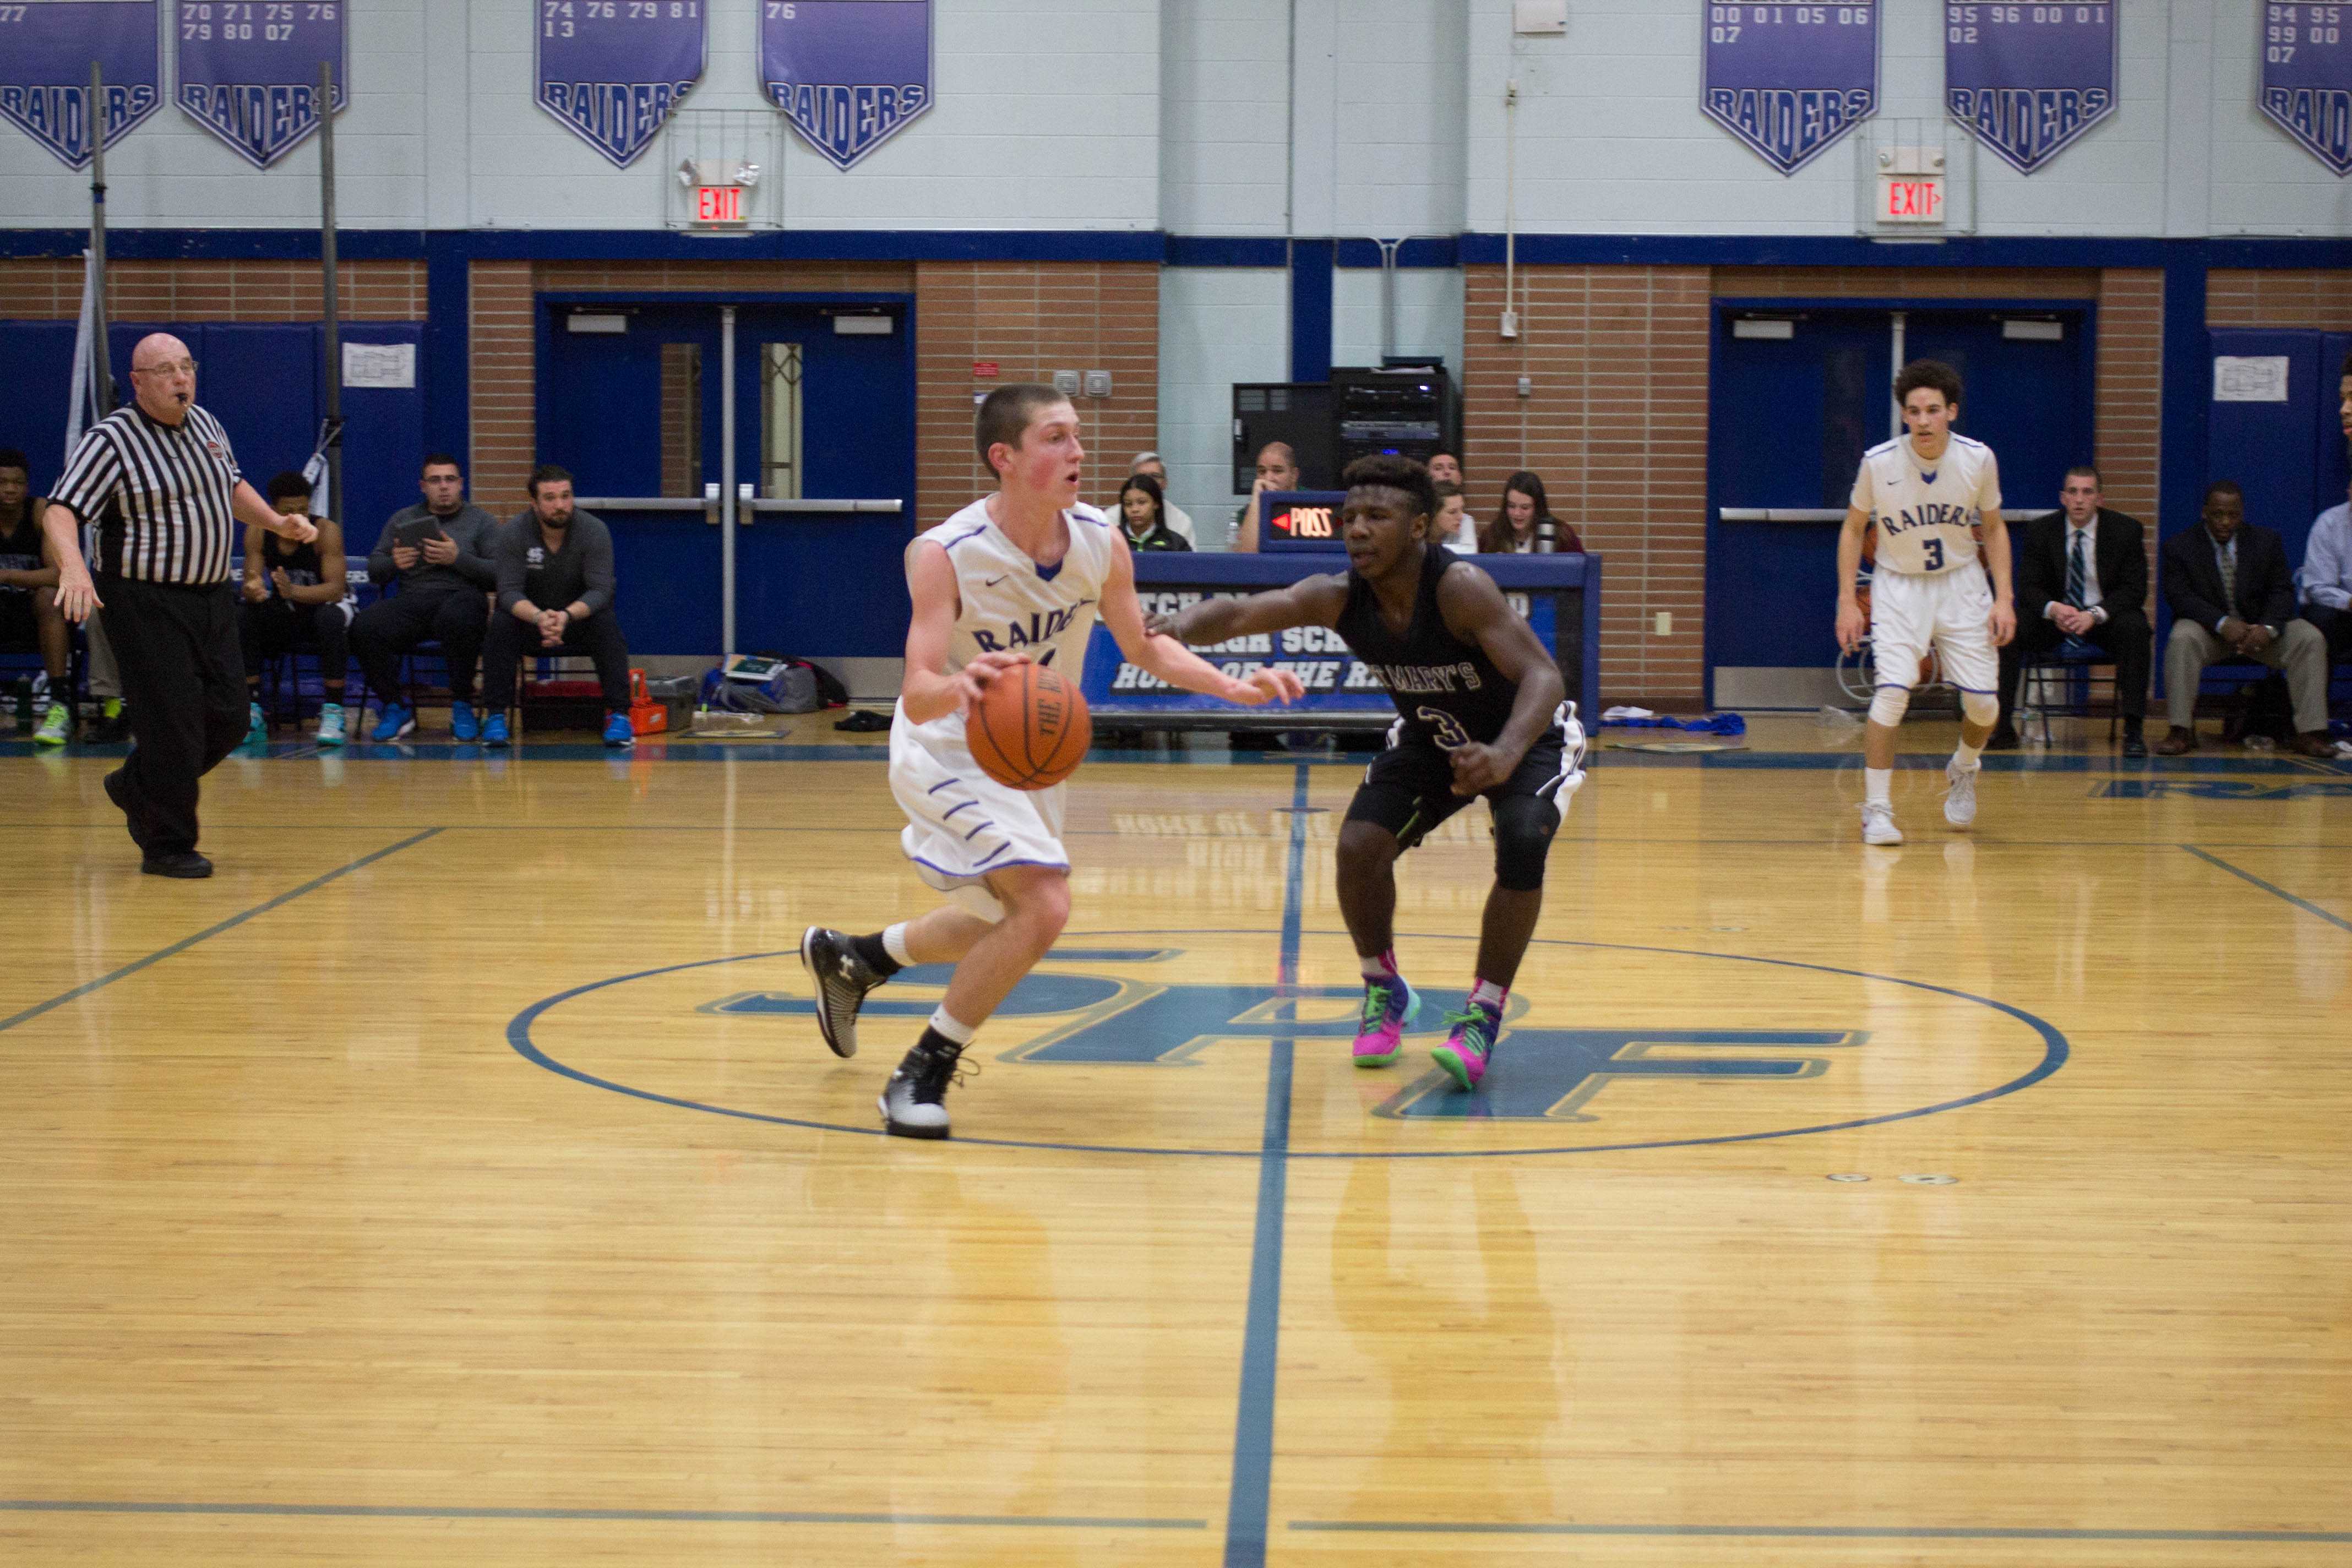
632	401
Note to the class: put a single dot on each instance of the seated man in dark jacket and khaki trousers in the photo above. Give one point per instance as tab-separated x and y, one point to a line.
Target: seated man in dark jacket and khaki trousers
2236	598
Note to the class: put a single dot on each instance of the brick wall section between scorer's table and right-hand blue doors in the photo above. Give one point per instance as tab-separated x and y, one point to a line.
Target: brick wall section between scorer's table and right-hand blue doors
1619	431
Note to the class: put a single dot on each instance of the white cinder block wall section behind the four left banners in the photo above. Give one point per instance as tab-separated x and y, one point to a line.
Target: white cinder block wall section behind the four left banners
443	133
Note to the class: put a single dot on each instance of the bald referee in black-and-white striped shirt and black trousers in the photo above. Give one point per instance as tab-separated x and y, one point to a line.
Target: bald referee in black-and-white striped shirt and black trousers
163	488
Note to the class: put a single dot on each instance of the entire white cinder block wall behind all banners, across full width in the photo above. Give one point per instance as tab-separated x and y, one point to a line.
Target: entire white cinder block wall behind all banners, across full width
1238	119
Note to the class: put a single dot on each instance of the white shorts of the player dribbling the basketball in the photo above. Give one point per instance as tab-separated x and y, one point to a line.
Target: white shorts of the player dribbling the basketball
961	824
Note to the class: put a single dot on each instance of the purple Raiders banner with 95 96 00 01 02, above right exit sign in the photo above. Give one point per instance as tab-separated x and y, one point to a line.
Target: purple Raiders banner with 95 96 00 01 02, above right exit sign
2029	79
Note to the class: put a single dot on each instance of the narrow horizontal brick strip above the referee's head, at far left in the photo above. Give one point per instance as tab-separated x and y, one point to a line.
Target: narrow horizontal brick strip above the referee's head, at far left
46	290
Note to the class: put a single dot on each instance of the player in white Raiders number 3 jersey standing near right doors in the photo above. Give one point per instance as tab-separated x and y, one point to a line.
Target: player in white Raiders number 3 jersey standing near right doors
1927	495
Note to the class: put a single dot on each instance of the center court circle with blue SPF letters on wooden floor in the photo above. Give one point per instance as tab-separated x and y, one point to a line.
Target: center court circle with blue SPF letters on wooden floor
1147	1043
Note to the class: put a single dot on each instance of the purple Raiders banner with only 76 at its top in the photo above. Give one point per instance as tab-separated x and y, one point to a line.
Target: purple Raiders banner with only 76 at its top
848	74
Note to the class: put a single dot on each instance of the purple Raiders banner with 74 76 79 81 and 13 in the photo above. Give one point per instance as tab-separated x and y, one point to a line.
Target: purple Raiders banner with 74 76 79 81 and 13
615	69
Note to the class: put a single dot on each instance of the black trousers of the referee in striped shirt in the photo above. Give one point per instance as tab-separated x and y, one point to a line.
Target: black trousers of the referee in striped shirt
185	695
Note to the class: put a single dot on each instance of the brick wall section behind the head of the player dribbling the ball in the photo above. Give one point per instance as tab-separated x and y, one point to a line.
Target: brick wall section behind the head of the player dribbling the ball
1034	319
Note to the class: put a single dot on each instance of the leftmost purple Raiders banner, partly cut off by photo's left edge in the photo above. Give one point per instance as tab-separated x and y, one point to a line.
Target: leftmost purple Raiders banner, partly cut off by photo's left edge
46	53
